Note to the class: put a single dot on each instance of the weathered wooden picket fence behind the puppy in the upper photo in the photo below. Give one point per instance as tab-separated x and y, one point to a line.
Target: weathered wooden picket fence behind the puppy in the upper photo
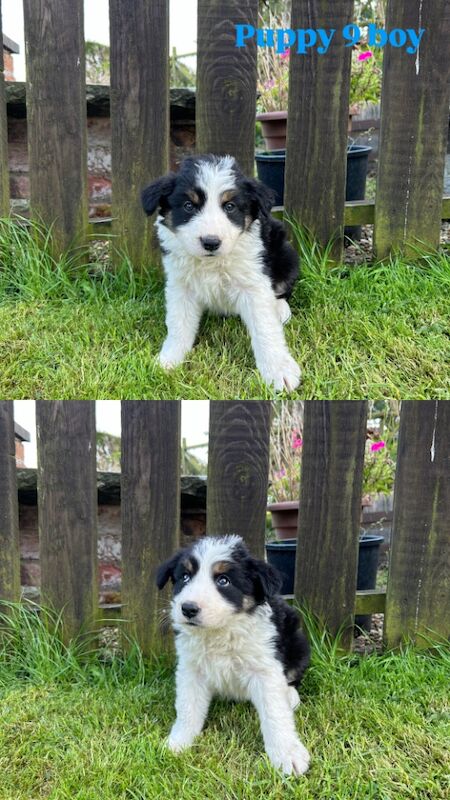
414	125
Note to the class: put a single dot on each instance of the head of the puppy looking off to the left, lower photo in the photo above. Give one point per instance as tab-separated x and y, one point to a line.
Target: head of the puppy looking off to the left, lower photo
215	579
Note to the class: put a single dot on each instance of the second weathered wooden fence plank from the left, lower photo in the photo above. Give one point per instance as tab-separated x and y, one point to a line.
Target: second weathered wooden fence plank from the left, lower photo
67	502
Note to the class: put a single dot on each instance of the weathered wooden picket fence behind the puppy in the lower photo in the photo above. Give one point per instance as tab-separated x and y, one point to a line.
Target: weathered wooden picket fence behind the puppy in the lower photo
417	600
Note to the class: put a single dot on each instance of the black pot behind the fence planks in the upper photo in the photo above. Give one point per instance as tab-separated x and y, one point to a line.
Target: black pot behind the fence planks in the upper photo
271	166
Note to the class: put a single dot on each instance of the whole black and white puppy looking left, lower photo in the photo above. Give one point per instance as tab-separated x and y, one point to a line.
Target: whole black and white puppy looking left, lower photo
235	638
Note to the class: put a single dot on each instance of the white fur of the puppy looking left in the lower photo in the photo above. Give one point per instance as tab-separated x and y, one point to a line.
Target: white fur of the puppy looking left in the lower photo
231	655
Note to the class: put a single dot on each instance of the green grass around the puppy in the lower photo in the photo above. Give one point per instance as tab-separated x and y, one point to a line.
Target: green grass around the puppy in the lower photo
377	727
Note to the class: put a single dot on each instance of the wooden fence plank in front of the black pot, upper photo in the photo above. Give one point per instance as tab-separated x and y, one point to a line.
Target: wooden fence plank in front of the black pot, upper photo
316	153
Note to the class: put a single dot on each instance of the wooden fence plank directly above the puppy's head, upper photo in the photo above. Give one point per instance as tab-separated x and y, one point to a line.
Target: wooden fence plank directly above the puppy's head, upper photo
226	81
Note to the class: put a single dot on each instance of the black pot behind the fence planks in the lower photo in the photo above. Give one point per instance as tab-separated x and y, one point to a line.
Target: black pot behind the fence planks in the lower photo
281	555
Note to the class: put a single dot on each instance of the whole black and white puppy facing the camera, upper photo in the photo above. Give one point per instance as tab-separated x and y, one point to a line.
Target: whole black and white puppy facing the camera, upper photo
223	252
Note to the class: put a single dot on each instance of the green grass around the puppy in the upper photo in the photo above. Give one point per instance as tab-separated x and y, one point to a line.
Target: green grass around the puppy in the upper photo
87	332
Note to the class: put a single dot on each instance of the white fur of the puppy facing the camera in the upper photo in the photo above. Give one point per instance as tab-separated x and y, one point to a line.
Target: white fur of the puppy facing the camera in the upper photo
231	281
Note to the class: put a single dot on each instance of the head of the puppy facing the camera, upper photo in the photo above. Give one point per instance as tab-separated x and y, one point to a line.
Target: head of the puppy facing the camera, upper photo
208	204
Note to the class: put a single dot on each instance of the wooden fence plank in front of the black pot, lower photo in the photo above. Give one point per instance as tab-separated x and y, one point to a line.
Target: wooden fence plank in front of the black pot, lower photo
334	434
